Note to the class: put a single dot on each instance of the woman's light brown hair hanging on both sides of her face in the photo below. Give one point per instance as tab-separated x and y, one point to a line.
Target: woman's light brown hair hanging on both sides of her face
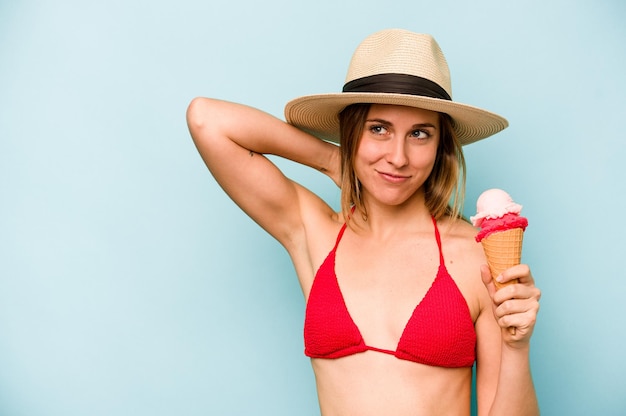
445	186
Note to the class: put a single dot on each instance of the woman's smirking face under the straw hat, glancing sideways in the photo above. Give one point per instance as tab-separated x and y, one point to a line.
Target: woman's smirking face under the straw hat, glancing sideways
396	152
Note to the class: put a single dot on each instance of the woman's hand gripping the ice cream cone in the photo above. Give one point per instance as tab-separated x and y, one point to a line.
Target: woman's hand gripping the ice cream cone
515	305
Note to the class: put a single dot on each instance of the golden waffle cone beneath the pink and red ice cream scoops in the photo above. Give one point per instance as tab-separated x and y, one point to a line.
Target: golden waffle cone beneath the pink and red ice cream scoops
503	249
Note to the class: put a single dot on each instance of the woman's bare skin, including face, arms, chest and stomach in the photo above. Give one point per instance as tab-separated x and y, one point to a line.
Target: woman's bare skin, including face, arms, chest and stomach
378	272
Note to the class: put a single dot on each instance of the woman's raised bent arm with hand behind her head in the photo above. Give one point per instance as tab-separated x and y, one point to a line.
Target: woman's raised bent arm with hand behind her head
232	139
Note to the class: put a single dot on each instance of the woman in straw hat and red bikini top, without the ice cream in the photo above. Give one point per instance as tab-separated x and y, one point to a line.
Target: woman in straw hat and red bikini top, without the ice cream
399	302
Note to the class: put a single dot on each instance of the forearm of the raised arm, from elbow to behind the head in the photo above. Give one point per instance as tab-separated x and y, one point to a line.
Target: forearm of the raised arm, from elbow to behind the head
259	132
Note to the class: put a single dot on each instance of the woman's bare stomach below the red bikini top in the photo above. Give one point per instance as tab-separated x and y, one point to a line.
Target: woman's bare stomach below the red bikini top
372	383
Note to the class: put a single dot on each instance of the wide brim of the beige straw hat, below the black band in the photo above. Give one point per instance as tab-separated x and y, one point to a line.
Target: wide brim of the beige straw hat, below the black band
319	114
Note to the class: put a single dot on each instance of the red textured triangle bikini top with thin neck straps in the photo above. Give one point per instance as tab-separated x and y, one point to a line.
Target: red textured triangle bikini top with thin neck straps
439	333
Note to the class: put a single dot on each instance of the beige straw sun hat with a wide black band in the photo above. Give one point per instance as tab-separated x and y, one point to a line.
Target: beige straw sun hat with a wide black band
399	67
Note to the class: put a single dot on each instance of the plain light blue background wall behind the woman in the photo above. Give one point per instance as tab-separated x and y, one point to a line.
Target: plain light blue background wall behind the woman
131	285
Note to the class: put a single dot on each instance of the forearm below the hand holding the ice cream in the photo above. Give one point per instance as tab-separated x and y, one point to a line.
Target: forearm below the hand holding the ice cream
515	393
